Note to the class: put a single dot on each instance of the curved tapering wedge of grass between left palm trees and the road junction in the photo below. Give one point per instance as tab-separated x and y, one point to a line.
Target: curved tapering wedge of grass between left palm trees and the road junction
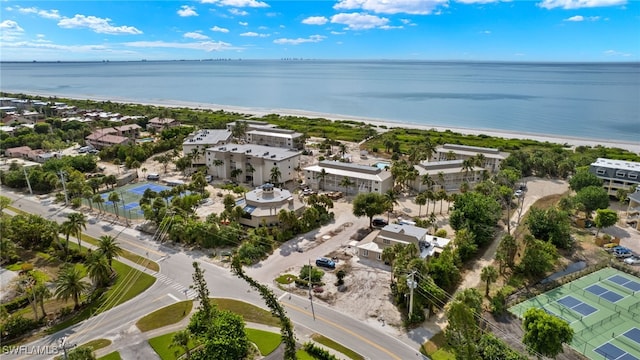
122	290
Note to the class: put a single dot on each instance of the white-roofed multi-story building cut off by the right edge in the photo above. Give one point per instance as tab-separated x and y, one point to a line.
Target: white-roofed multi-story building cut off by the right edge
616	174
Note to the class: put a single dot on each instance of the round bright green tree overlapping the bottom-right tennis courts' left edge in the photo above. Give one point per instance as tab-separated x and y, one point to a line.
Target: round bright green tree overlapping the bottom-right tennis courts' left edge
544	333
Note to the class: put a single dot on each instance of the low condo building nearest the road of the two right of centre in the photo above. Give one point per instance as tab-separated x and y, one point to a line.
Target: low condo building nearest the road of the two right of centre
448	175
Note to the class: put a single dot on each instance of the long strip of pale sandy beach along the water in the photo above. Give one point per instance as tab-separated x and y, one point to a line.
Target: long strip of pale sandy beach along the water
551	138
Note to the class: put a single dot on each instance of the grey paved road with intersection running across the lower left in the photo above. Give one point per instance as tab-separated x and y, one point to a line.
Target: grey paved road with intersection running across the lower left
118	324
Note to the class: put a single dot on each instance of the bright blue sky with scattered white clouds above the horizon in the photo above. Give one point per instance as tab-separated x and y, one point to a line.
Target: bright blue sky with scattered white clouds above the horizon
471	30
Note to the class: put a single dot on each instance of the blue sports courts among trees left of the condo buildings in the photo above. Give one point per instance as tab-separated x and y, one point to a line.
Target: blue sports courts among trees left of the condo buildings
130	195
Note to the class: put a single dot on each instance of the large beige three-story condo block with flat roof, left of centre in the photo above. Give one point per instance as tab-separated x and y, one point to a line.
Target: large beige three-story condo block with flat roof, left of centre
252	164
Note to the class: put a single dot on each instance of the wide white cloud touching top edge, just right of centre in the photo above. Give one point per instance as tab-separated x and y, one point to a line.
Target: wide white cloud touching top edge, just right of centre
418	7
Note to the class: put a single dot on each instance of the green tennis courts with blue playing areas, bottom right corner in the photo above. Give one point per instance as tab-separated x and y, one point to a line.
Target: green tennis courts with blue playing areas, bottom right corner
603	308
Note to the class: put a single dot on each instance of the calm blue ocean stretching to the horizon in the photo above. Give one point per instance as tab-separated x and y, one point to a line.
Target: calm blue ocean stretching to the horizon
586	100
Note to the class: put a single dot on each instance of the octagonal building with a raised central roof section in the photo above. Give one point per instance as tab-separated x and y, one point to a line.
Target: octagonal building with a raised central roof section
262	205
